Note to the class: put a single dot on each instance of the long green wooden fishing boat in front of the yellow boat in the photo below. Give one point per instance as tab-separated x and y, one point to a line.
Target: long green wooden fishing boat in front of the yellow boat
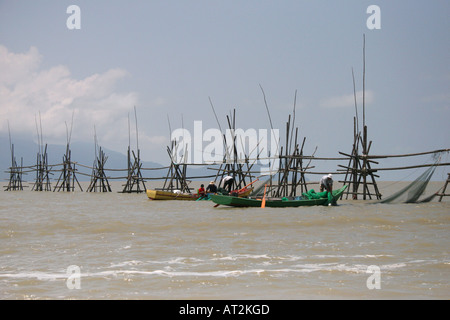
308	199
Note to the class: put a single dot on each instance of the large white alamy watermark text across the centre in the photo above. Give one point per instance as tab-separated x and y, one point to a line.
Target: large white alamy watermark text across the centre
258	146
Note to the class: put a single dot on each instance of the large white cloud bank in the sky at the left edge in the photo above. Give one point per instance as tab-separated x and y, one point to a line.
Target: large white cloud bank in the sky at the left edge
27	90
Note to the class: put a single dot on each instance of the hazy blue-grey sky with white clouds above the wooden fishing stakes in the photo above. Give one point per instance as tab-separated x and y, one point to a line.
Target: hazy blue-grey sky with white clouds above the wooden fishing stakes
168	59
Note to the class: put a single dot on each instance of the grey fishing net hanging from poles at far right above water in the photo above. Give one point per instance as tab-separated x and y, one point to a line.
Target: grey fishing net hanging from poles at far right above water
412	192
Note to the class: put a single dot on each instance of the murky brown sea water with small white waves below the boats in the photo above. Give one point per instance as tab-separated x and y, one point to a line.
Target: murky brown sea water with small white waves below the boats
114	246
